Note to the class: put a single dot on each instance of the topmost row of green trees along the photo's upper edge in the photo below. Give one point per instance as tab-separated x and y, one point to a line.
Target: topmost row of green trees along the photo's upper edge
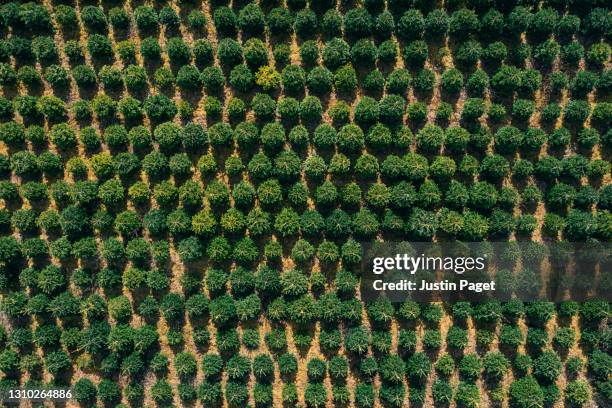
459	22
